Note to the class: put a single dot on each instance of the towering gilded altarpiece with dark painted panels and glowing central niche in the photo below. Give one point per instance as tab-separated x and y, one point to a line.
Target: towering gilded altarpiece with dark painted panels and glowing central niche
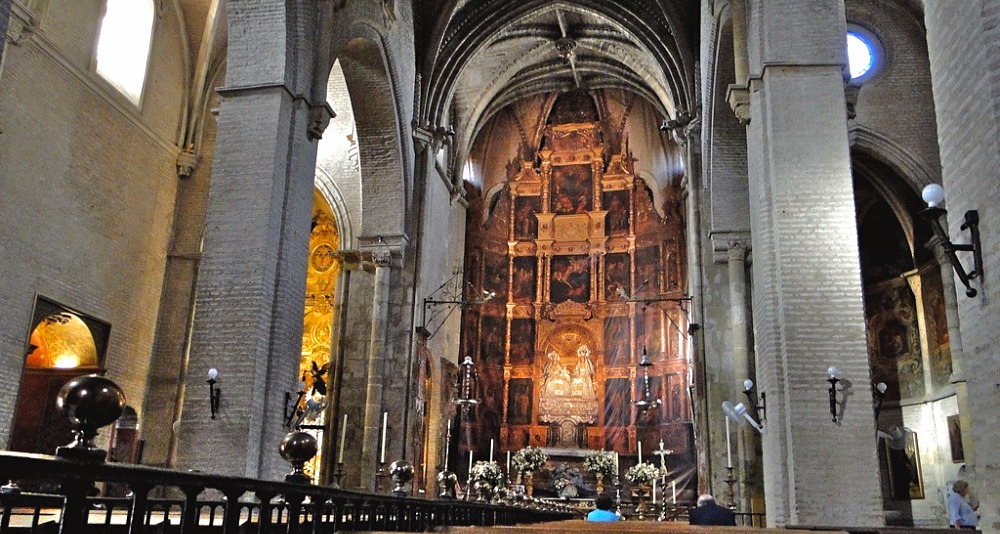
585	275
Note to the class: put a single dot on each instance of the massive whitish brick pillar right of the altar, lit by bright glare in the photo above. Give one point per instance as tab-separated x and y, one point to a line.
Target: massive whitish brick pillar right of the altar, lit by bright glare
807	293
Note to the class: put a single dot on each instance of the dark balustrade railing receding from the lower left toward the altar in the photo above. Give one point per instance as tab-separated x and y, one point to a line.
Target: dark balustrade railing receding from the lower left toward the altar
224	504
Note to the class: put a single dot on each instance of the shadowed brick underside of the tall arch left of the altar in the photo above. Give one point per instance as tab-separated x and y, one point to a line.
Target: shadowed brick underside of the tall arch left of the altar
385	187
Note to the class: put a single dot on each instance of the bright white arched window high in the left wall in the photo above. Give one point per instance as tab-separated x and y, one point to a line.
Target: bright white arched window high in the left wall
123	45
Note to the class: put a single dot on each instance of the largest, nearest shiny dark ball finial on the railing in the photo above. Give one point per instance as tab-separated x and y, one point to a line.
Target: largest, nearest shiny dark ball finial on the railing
89	402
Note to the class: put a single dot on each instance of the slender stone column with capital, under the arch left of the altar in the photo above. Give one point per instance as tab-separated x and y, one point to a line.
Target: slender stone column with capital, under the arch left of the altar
382	258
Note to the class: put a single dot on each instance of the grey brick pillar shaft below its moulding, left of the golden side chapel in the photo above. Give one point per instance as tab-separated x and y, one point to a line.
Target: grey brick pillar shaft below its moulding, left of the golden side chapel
251	283
